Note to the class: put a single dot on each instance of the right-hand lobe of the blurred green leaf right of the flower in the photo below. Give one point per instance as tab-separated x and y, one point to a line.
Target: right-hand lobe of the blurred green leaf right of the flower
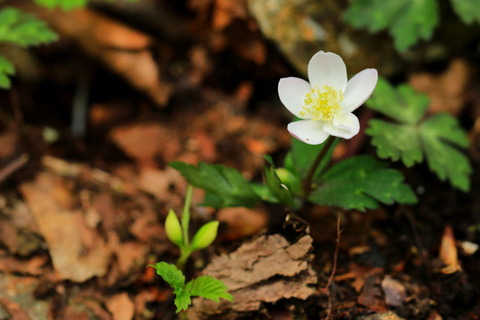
441	135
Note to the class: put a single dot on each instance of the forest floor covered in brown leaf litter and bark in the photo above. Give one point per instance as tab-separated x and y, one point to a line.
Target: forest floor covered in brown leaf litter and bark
86	135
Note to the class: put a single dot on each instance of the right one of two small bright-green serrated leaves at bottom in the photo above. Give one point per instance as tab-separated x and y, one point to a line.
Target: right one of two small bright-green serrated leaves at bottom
208	287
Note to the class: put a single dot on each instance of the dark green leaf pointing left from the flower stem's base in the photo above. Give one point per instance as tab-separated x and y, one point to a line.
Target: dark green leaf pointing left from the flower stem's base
225	187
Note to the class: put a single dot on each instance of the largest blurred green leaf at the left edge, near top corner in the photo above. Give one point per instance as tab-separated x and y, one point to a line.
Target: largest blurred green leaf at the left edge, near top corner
23	29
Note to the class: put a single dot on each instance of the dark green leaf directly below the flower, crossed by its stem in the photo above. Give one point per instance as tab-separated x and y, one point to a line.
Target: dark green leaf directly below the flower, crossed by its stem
302	155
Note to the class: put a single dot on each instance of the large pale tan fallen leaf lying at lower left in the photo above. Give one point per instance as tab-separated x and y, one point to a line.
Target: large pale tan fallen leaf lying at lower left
78	252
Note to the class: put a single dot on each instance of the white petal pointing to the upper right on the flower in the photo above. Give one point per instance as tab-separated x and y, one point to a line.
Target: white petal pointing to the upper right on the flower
359	89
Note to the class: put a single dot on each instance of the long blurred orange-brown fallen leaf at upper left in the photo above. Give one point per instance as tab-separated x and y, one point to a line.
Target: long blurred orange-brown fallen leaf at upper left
124	50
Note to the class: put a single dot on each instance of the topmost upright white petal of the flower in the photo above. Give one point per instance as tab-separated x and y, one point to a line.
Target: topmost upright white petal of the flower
327	68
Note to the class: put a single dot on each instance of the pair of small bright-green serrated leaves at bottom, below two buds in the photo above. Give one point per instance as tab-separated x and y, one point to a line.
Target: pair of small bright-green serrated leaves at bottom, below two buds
204	286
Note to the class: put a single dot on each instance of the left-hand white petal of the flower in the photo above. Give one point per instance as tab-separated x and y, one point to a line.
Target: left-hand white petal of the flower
292	93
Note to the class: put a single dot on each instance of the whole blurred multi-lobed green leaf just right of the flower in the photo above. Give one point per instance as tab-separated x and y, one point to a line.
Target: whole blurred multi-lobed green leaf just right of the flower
411	138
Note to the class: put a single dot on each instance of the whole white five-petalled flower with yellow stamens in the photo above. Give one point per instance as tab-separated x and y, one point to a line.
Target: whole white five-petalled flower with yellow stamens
326	103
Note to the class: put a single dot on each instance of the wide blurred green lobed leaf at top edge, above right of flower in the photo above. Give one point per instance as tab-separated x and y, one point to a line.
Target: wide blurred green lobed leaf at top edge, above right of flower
407	20
